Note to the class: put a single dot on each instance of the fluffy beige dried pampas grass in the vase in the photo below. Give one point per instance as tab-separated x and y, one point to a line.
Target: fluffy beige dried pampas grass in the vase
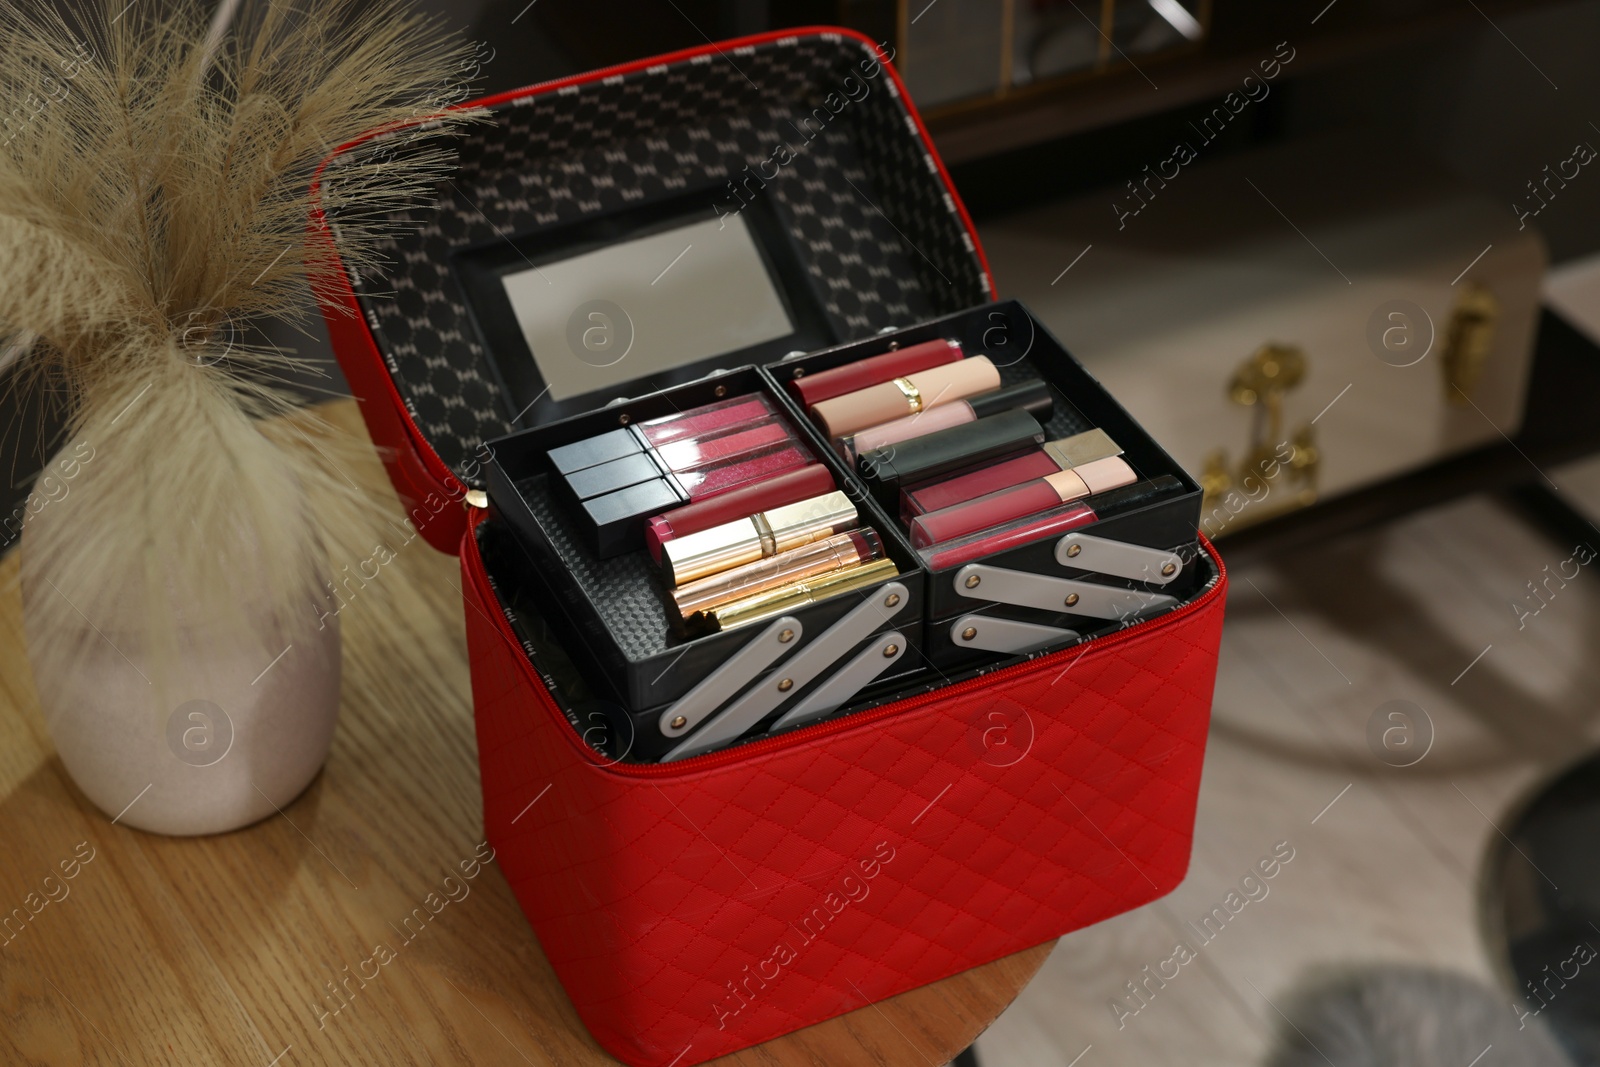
154	196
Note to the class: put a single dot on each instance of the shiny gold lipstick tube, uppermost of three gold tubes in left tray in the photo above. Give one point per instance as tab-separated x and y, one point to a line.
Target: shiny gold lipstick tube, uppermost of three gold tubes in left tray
756	538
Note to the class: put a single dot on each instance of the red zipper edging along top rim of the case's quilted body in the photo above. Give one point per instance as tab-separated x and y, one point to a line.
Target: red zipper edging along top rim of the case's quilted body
754	749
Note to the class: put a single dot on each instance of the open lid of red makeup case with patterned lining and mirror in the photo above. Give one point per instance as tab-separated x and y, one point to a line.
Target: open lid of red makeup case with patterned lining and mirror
799	151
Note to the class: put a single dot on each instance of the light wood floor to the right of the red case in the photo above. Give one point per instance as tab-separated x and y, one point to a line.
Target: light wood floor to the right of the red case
1390	873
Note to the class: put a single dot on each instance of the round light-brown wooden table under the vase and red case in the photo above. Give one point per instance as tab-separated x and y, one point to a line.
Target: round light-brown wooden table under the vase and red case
215	951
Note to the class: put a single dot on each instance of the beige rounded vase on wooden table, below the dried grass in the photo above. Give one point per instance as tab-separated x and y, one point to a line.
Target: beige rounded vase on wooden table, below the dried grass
231	737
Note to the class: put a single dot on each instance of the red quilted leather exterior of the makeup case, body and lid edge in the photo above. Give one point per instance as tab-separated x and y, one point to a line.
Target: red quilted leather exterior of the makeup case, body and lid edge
698	908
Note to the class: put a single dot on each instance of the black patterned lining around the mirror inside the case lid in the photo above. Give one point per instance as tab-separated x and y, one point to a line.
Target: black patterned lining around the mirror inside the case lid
878	228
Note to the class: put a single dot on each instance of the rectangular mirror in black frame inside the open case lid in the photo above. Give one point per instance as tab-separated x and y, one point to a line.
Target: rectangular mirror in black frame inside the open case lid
638	302
